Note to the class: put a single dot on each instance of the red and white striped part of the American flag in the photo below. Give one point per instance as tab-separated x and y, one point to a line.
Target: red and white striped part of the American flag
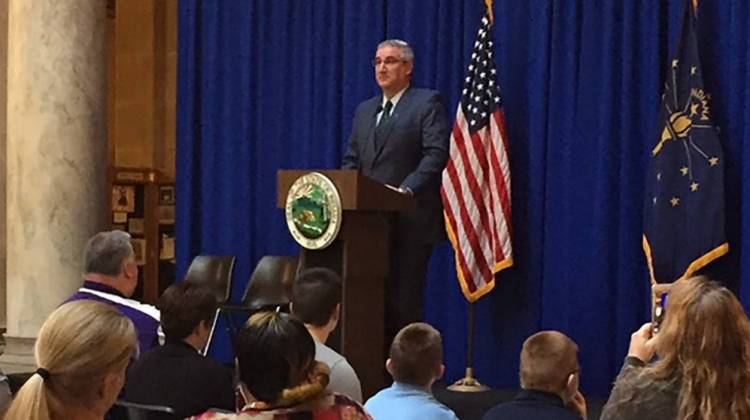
476	197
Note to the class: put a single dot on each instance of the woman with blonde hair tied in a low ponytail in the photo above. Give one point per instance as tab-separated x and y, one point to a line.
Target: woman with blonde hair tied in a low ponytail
82	352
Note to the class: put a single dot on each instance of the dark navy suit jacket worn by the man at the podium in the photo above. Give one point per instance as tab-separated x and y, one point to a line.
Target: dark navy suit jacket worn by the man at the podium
411	152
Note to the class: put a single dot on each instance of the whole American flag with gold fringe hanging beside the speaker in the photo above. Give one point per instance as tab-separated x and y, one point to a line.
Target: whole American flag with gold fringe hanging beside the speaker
476	181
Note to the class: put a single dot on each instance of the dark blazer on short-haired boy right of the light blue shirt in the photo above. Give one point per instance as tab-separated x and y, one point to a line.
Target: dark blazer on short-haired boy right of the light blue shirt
532	405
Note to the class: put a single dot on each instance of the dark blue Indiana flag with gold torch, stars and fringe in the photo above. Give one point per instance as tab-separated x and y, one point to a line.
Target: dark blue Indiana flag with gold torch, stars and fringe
684	203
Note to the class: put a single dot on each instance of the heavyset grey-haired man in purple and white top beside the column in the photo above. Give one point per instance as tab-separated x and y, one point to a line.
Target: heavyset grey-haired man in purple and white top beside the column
111	276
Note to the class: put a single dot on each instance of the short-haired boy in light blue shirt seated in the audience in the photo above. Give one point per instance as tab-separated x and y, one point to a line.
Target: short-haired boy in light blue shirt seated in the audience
415	363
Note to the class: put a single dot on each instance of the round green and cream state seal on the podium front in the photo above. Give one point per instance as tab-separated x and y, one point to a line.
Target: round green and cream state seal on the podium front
313	211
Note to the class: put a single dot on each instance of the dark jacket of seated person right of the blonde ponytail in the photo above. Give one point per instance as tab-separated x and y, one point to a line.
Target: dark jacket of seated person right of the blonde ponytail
177	376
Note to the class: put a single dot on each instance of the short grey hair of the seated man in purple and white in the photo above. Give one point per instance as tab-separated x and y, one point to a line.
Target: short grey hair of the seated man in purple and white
106	251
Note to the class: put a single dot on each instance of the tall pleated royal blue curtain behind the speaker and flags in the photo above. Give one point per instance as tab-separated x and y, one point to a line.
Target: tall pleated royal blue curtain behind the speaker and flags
265	85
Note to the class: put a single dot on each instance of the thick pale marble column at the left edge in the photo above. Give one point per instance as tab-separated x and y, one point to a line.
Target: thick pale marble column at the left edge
56	158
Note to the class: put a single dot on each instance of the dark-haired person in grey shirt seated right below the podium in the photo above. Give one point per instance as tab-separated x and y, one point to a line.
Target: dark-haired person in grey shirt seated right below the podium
316	301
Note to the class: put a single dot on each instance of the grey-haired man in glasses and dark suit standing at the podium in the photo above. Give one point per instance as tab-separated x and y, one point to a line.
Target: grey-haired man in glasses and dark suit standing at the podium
400	138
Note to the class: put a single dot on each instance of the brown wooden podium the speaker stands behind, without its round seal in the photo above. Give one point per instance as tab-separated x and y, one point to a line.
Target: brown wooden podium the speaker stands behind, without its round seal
360	254
